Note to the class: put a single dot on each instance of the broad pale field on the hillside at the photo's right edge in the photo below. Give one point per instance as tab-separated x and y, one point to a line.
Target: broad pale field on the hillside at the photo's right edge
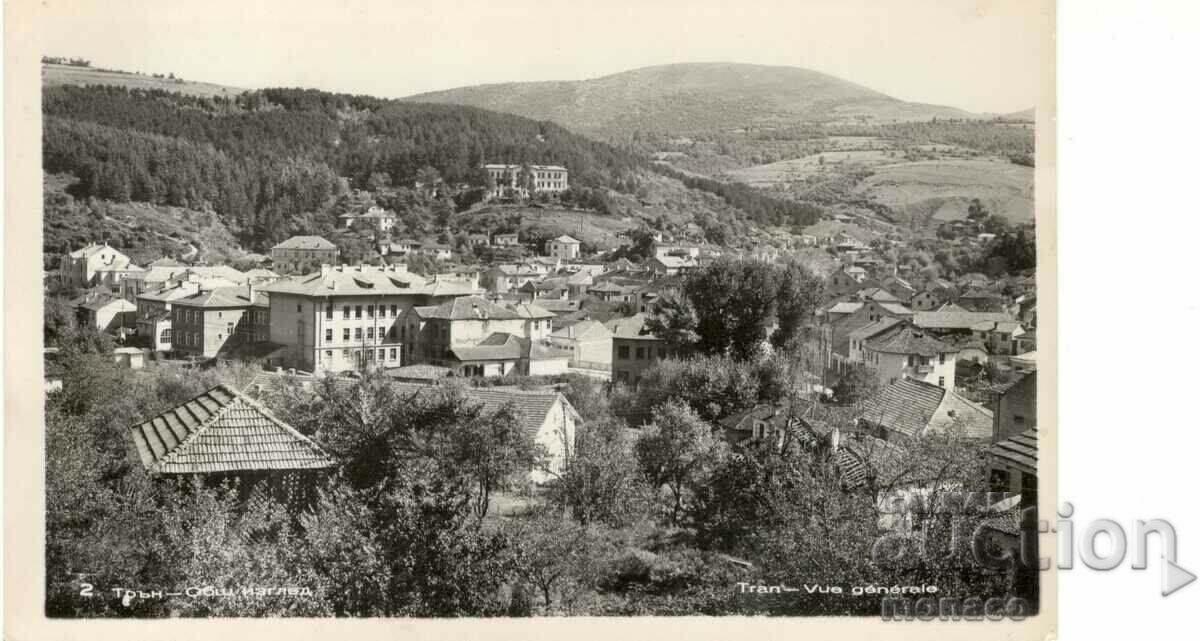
943	190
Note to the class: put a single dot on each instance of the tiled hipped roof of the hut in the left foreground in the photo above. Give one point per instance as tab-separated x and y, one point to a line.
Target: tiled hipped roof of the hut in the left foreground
224	432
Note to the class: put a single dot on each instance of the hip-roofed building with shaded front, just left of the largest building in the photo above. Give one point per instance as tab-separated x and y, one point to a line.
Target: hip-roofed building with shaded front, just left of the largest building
205	324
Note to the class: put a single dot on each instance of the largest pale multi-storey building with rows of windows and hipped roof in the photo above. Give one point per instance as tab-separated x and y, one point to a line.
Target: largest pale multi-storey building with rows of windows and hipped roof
351	317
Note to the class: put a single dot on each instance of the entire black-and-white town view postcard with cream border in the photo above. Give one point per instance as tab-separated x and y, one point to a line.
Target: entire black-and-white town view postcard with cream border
519	310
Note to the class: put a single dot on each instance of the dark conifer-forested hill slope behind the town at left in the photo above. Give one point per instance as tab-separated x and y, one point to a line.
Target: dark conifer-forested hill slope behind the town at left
272	163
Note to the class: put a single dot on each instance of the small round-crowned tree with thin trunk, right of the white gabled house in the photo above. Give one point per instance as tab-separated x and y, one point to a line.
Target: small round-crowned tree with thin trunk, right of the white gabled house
677	451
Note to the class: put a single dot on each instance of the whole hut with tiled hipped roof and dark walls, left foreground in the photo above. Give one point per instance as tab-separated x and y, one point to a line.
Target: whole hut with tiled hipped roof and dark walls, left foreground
225	435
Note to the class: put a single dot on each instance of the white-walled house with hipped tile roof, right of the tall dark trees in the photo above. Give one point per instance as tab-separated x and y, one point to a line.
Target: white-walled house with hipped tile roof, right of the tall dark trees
903	351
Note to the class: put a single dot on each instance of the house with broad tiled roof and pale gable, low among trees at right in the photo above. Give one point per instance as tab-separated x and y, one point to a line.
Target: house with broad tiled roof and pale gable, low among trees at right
913	409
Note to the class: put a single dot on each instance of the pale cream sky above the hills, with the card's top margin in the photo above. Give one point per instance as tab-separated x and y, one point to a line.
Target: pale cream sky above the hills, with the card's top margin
979	56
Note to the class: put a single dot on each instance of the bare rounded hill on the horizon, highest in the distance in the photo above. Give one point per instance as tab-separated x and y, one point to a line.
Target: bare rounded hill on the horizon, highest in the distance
692	99
